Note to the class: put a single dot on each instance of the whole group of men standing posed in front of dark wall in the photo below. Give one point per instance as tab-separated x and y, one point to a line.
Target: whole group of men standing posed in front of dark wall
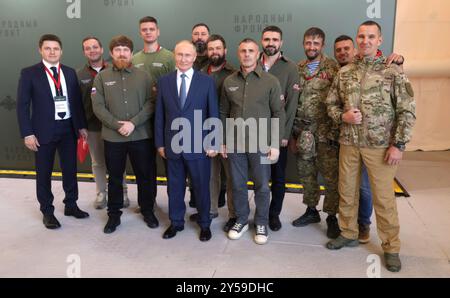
347	124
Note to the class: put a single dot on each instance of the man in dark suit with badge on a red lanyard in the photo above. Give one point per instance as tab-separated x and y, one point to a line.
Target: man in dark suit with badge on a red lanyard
51	116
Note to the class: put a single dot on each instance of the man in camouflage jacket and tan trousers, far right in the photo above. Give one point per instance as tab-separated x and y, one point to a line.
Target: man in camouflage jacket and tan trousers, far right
373	104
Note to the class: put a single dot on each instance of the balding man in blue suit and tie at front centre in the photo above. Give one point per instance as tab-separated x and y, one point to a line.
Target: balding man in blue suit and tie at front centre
186	98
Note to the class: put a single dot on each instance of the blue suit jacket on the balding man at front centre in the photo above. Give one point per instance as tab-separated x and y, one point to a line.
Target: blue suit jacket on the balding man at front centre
202	96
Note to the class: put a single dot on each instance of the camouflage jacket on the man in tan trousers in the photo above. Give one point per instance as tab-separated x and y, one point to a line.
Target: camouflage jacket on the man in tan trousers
382	94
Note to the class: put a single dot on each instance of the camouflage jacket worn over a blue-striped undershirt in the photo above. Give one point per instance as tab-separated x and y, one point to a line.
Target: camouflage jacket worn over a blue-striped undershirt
314	88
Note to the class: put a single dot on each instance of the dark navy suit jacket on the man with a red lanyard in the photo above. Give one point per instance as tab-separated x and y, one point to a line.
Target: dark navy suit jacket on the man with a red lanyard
35	105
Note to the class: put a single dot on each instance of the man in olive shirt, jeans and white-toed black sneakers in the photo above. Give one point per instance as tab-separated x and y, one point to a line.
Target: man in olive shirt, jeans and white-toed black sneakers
251	95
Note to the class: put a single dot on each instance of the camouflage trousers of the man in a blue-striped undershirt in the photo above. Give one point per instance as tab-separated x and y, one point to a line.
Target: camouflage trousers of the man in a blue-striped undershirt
326	163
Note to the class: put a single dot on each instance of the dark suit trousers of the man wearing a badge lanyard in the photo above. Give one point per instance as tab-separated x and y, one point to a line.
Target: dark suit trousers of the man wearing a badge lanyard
65	142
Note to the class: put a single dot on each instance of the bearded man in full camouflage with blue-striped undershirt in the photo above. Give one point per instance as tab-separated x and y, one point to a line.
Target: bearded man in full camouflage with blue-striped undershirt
316	135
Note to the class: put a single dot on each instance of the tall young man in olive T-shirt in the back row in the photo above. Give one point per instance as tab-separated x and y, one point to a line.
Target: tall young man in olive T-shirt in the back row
154	59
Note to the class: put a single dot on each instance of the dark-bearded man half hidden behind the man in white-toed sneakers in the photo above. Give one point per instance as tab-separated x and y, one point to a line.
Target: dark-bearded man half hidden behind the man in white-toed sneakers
273	61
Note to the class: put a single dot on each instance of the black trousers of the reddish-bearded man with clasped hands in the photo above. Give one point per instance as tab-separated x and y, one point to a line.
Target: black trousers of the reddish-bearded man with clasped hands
142	158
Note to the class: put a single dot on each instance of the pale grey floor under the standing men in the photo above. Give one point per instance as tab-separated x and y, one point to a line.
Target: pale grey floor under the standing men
27	249
